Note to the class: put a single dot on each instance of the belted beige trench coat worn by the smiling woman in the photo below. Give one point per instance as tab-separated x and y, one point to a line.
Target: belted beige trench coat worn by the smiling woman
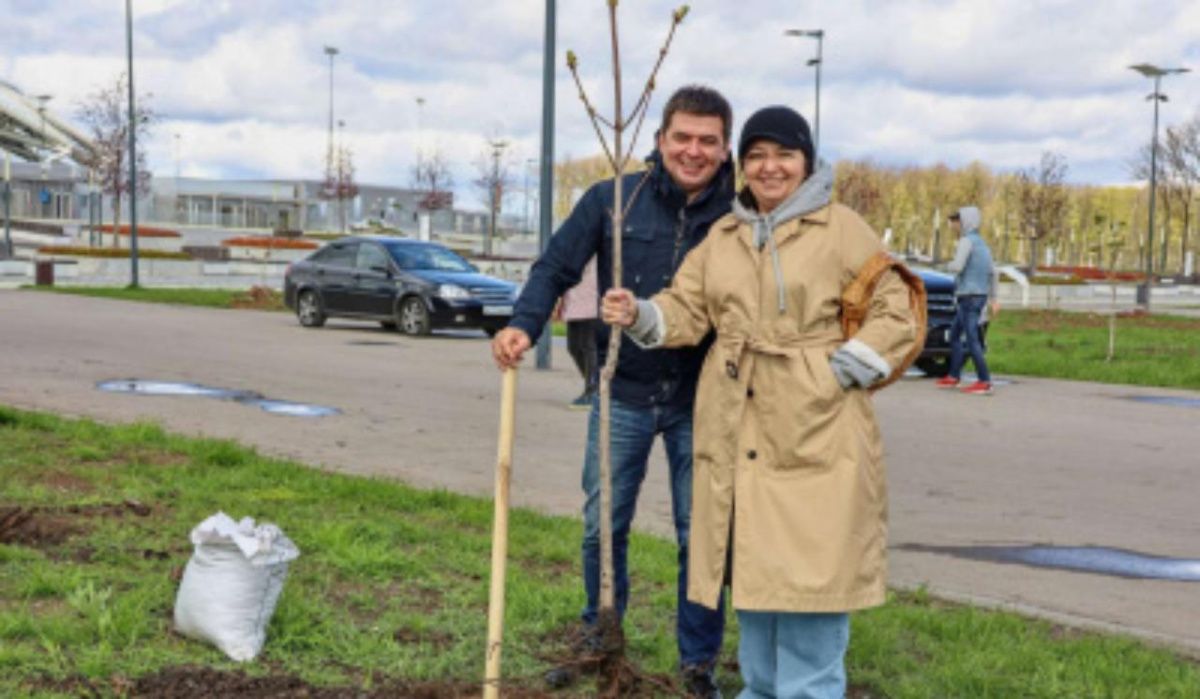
783	455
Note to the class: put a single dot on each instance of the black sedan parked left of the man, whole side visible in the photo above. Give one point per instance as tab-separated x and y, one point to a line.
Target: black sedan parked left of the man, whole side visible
411	285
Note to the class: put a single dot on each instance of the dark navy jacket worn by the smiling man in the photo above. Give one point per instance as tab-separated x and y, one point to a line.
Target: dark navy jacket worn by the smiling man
661	229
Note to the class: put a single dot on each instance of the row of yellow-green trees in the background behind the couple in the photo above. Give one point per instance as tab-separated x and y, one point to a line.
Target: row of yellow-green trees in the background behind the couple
1030	217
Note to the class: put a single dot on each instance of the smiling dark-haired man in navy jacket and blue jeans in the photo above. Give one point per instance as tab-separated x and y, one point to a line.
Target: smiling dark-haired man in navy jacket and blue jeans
691	187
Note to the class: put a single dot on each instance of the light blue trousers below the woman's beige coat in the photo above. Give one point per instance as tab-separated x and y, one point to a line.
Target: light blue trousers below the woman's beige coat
793	656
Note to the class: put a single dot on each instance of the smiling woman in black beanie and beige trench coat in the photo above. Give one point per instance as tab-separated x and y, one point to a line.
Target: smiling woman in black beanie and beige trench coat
789	491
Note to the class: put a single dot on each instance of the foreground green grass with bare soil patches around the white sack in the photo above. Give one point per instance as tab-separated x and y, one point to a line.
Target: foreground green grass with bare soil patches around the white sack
392	586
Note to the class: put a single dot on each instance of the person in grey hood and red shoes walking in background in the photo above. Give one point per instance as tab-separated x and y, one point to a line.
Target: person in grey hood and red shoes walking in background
975	284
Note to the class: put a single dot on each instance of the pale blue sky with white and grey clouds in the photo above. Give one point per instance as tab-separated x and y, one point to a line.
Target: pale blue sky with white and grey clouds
245	83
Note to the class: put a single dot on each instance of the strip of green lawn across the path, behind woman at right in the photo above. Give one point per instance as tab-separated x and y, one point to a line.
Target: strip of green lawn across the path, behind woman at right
1150	351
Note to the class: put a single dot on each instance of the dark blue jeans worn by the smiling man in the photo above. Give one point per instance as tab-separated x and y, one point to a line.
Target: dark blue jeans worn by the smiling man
698	630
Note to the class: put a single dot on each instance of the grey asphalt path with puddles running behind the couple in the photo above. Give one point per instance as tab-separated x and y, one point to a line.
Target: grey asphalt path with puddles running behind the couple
1039	463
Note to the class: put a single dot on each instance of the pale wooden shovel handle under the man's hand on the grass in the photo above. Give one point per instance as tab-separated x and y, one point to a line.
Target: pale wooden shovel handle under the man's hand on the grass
500	536
